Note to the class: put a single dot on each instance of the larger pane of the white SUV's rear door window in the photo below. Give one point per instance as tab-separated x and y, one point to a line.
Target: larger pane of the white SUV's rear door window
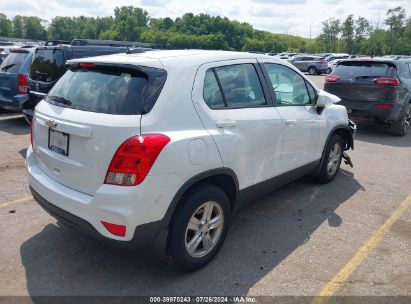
241	85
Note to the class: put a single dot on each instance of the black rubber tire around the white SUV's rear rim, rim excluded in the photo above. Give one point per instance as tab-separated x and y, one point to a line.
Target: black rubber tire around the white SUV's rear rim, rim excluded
179	256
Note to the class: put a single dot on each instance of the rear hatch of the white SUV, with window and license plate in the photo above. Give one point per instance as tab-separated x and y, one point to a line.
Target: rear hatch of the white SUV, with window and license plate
87	115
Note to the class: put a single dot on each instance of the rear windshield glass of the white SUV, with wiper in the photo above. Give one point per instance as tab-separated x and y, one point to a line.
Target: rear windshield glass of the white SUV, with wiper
101	90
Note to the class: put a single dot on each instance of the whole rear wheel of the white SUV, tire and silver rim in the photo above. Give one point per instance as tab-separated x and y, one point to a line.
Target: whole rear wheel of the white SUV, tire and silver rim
199	227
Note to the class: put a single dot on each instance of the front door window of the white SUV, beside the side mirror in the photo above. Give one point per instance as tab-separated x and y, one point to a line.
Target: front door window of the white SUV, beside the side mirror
289	87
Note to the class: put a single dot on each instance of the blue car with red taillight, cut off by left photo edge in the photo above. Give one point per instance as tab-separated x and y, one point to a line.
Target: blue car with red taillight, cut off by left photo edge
13	79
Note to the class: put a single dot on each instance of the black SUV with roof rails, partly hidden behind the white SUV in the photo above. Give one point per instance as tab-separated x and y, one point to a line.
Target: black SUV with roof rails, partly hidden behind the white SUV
48	63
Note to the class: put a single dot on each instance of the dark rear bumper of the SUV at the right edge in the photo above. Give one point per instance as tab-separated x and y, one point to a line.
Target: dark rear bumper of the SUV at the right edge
369	110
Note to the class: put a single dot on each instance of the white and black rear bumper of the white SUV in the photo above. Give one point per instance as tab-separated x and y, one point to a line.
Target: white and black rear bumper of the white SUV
147	227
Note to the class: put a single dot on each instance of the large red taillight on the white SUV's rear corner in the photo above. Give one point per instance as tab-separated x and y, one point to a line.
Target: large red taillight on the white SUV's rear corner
134	159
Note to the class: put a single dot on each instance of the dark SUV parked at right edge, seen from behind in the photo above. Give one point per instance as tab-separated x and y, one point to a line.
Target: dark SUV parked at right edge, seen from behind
377	89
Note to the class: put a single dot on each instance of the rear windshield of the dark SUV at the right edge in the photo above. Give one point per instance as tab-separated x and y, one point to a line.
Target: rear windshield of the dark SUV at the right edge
351	70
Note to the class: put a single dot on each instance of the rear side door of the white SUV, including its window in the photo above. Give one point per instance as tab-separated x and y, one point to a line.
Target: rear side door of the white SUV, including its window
235	107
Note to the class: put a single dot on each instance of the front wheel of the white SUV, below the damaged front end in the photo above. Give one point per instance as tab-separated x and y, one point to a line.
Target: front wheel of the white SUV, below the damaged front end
332	159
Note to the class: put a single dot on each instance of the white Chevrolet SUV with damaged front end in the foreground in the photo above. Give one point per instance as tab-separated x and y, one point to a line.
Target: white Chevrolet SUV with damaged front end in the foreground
156	150
